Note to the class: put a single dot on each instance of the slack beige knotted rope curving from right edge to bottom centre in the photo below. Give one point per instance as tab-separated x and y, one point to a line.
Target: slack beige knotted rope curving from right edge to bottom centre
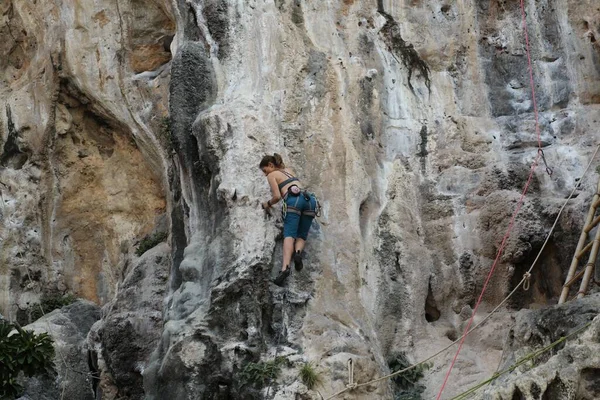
585	171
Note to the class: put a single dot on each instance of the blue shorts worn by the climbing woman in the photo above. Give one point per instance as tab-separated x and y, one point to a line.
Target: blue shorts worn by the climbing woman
297	223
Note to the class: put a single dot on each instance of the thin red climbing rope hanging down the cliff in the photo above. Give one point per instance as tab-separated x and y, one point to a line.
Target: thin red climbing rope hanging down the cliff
539	155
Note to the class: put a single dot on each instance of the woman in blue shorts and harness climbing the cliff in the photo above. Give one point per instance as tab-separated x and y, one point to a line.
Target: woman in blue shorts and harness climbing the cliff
299	210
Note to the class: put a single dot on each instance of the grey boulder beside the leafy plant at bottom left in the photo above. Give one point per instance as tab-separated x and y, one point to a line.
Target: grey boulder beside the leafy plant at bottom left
69	328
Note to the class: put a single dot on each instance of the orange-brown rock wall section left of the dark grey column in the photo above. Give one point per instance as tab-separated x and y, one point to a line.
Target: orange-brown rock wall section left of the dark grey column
81	168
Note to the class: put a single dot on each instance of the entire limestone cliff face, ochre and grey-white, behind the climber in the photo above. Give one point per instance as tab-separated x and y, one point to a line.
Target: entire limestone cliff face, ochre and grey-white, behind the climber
411	120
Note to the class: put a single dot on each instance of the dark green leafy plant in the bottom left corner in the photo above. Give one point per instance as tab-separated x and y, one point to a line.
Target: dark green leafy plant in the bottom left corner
22	352
